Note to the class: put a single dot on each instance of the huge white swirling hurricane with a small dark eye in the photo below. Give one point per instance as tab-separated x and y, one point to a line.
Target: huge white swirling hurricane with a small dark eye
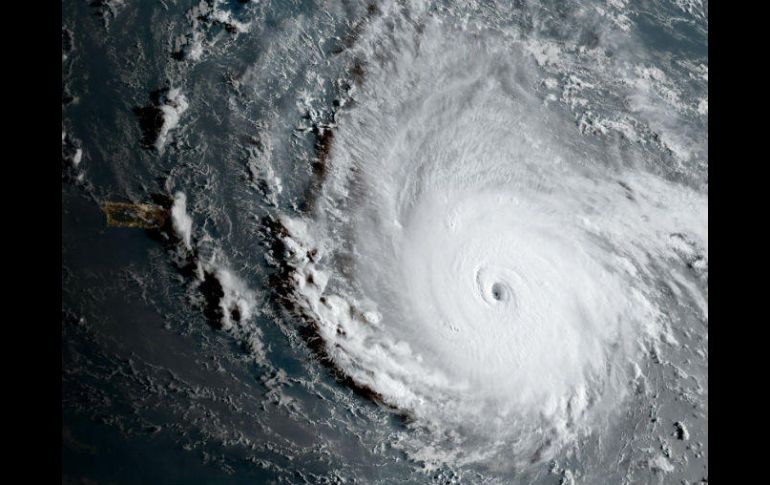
476	261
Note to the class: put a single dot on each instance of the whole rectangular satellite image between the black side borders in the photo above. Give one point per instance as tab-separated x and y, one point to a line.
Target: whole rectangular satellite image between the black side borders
385	242
